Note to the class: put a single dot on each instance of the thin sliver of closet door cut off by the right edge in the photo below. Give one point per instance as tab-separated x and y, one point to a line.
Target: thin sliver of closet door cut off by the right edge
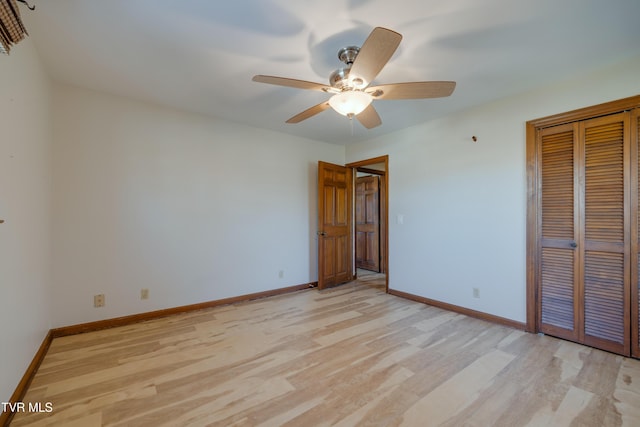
635	232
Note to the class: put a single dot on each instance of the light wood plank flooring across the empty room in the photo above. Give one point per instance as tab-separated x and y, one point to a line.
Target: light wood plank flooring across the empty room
348	356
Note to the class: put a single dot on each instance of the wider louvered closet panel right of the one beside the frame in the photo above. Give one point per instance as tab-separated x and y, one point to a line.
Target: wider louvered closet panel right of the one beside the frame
605	250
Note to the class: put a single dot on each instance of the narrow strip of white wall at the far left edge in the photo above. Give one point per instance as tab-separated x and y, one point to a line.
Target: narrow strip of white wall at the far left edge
24	205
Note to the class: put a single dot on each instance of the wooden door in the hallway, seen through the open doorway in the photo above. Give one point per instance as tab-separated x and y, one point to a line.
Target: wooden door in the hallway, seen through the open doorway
367	221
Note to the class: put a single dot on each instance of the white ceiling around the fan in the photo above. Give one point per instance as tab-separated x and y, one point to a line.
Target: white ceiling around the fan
200	55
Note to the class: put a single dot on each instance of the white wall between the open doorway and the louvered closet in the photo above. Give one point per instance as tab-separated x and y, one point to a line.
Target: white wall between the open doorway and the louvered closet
464	204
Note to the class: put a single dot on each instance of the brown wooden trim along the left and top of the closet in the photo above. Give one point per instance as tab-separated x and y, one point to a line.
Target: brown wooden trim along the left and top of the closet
533	298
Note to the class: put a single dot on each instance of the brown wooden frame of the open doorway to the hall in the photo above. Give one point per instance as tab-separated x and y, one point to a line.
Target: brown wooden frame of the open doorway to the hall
384	210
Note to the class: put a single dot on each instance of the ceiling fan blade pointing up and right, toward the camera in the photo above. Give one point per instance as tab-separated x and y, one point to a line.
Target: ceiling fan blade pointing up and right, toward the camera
374	54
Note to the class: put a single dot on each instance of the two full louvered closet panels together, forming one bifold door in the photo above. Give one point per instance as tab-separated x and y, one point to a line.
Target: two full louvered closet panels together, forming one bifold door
585	214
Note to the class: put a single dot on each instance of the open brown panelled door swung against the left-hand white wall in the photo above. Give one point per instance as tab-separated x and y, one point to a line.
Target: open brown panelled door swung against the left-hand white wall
334	224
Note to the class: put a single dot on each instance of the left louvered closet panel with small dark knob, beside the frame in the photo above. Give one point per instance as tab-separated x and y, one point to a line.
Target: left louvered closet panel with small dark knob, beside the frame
559	312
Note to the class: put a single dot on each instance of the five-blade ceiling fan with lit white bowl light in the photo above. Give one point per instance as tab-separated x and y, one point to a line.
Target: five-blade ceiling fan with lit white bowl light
352	95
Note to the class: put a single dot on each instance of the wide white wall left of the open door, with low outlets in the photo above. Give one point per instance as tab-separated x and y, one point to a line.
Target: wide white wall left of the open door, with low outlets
192	208
